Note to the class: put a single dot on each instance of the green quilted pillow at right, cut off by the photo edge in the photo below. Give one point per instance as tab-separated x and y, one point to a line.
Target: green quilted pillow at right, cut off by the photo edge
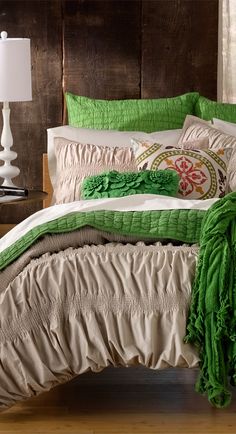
207	109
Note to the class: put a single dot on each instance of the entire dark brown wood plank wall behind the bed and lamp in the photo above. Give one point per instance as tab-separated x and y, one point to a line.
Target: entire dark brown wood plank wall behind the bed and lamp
104	49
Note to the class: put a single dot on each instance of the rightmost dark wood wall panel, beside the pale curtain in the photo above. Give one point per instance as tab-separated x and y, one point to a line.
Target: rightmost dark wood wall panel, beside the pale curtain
179	47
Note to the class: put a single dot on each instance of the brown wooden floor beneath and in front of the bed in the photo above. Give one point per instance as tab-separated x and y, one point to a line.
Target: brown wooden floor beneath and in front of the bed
167	407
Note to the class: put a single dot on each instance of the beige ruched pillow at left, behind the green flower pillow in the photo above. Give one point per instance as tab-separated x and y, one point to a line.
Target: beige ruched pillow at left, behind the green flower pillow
76	161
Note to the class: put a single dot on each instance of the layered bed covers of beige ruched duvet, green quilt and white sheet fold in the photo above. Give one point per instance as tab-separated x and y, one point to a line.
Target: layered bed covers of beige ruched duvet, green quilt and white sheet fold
83	300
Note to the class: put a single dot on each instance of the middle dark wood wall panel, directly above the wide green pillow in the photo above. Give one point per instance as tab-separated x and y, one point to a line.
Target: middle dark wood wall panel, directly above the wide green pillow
102	48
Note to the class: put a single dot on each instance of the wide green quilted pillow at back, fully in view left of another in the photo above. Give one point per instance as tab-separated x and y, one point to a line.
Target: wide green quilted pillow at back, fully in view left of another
146	115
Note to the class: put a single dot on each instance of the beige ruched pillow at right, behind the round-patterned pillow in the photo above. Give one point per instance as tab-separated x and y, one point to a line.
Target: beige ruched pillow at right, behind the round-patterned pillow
217	140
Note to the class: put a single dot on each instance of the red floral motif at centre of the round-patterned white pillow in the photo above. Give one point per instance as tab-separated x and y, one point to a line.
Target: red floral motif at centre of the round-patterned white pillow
192	178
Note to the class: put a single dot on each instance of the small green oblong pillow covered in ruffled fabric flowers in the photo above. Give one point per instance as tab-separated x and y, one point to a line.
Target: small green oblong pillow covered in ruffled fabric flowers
117	184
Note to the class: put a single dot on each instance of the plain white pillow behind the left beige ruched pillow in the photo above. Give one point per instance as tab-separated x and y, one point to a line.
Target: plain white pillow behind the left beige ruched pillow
110	138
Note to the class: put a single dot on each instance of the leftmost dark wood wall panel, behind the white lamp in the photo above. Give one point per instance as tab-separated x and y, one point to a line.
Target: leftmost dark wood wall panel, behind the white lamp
40	21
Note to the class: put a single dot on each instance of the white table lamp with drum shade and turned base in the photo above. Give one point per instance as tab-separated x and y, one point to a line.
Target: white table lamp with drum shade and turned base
15	85
